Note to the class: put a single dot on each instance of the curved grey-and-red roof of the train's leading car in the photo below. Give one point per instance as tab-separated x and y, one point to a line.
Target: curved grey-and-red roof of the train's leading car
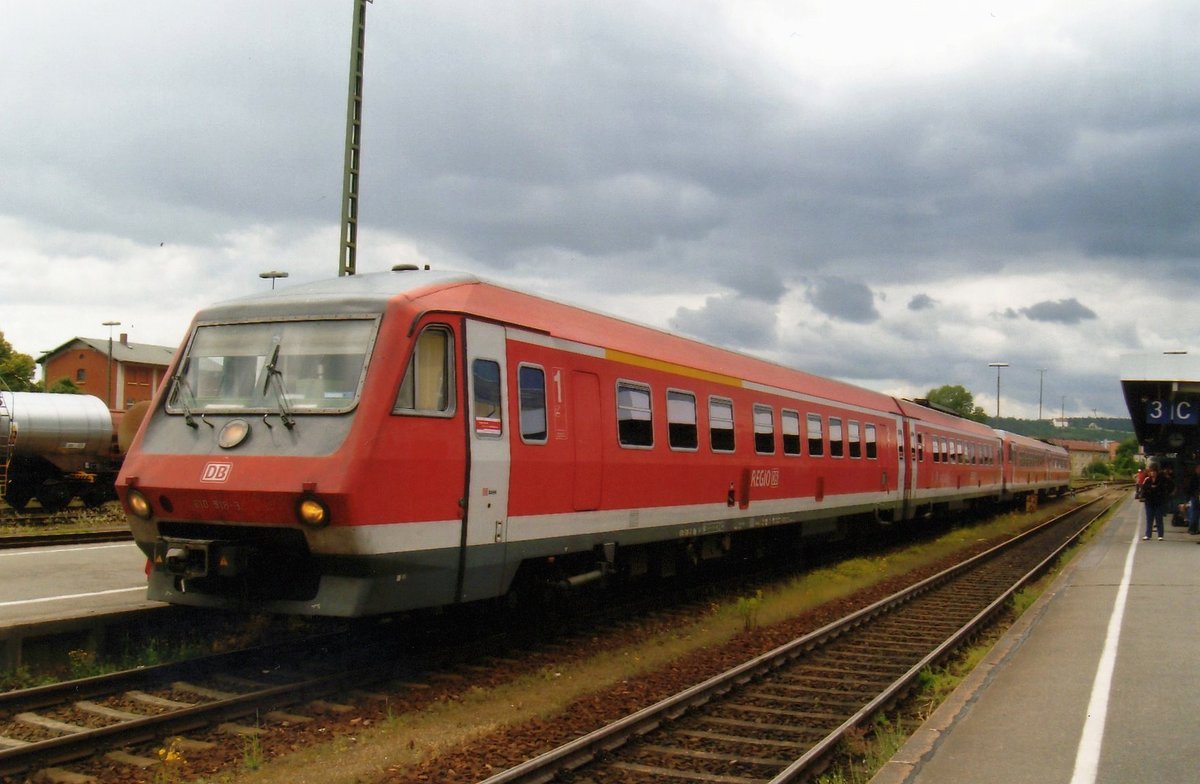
464	294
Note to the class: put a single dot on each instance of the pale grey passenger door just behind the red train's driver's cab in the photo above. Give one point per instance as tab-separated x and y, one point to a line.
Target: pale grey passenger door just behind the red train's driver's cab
488	440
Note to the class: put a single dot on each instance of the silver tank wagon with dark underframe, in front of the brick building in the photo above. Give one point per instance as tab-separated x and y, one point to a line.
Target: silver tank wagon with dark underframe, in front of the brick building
56	448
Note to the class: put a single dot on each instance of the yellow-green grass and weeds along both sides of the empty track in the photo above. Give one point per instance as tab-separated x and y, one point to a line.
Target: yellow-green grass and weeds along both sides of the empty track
405	740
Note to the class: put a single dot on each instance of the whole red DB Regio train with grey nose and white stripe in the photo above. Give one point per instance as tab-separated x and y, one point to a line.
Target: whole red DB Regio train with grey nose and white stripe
411	439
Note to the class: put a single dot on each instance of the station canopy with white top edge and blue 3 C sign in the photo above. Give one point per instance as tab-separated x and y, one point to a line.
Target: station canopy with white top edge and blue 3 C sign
1163	396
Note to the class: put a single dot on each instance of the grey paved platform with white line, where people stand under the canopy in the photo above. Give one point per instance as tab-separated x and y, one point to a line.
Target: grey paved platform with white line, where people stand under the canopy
1097	683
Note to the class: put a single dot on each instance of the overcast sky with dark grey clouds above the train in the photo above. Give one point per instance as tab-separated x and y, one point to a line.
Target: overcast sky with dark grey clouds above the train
892	194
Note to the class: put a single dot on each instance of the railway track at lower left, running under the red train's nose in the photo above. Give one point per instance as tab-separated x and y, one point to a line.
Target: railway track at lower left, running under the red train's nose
51	726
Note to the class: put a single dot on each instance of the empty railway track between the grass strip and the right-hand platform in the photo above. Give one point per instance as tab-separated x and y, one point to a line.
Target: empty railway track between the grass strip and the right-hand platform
779	717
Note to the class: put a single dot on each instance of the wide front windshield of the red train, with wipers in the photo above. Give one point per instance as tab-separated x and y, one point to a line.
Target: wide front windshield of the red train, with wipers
317	367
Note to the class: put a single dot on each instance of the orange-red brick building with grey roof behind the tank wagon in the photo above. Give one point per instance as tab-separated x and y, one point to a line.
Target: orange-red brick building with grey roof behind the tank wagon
137	369
